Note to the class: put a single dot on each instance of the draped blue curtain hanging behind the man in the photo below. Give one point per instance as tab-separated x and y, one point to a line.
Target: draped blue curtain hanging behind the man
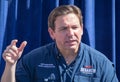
27	20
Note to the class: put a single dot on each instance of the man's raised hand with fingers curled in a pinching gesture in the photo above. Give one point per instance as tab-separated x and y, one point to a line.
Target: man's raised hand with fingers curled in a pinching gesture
12	53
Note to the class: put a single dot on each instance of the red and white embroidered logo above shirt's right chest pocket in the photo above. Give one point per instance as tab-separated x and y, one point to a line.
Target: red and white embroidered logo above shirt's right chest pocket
88	70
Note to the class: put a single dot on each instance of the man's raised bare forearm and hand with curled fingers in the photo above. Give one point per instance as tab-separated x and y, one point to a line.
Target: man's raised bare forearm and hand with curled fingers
11	56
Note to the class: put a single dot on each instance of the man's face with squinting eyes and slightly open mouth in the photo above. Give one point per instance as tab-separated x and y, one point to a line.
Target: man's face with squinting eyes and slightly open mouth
68	32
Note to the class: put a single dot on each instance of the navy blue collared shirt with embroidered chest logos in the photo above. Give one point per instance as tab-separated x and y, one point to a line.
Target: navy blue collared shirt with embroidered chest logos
45	64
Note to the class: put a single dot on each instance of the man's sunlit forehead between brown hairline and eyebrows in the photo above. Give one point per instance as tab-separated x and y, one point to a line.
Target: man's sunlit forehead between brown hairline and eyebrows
66	19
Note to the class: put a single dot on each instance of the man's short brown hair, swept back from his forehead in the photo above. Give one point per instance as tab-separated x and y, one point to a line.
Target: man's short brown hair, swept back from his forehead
63	10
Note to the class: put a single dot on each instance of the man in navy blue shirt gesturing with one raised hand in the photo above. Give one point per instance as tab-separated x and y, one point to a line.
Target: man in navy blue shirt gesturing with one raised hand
65	60
